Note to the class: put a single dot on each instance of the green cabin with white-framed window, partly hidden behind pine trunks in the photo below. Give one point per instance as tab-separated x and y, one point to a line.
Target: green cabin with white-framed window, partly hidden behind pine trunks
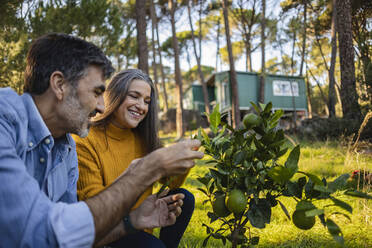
285	92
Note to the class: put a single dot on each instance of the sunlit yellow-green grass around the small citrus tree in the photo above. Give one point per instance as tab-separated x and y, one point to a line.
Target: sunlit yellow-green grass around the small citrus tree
326	159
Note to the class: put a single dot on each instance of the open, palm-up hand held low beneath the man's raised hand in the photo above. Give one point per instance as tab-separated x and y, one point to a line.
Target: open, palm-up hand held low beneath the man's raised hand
157	212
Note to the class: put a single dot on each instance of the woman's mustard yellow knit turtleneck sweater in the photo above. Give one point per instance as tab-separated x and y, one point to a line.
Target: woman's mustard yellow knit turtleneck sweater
104	155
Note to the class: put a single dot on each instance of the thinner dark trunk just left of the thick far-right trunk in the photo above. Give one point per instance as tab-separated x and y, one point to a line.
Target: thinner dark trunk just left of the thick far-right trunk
331	72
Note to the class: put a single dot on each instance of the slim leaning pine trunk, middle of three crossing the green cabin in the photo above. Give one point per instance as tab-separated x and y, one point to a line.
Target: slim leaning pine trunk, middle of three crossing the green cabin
233	78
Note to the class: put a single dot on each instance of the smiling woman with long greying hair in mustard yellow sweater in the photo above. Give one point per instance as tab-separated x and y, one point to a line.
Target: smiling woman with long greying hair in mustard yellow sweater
125	131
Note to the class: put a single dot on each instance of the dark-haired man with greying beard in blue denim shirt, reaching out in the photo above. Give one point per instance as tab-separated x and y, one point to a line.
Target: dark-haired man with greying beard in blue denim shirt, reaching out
64	82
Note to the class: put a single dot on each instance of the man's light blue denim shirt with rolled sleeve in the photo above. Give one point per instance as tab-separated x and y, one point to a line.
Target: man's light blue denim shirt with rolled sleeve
38	175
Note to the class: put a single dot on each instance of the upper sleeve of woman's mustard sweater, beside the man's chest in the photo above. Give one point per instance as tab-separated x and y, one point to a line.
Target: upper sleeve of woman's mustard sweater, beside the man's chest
90	180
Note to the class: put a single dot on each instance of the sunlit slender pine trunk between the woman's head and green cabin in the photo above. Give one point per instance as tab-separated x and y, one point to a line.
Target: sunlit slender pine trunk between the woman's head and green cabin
179	112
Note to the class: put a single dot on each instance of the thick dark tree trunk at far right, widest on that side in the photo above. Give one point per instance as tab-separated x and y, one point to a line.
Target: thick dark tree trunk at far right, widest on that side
349	97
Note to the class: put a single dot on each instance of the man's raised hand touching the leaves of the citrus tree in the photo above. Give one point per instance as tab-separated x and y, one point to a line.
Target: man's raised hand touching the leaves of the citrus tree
175	159
